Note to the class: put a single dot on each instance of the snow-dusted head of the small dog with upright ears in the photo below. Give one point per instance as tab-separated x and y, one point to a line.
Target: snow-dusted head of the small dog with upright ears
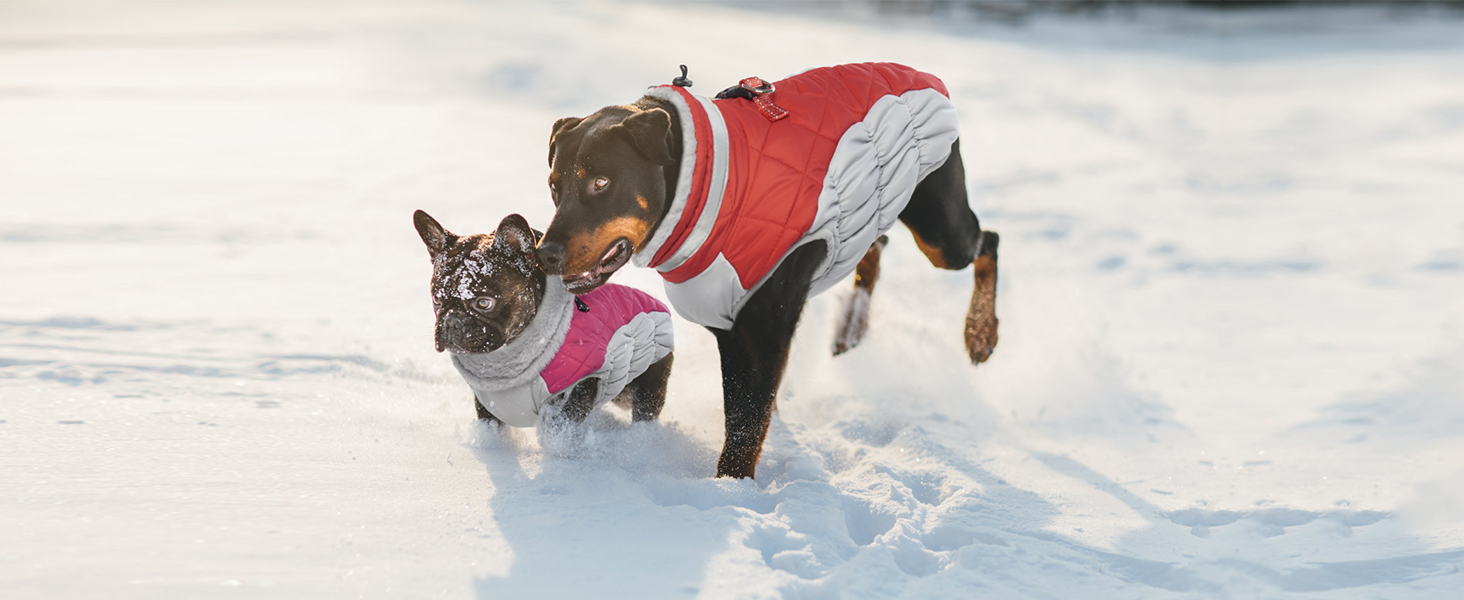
485	289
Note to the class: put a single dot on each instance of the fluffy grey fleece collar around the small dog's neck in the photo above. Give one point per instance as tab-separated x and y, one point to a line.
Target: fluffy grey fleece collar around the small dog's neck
523	359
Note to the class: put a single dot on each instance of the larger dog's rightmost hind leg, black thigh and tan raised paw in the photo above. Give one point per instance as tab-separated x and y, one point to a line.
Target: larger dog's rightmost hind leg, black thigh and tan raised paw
945	229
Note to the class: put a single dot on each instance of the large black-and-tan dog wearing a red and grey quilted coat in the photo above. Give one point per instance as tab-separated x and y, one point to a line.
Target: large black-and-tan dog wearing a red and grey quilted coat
755	201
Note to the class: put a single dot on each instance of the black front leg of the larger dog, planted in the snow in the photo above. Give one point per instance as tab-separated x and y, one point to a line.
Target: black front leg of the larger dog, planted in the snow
755	353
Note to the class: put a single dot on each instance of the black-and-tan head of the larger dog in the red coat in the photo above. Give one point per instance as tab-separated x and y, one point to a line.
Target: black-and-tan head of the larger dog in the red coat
610	190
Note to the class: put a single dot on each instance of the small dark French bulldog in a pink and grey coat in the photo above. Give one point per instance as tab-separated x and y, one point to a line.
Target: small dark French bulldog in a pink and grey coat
531	350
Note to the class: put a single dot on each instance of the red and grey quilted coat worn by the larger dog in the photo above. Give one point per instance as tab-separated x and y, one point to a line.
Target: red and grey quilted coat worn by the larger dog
840	169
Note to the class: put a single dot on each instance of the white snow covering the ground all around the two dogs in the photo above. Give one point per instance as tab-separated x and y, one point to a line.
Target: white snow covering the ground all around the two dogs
1230	359
